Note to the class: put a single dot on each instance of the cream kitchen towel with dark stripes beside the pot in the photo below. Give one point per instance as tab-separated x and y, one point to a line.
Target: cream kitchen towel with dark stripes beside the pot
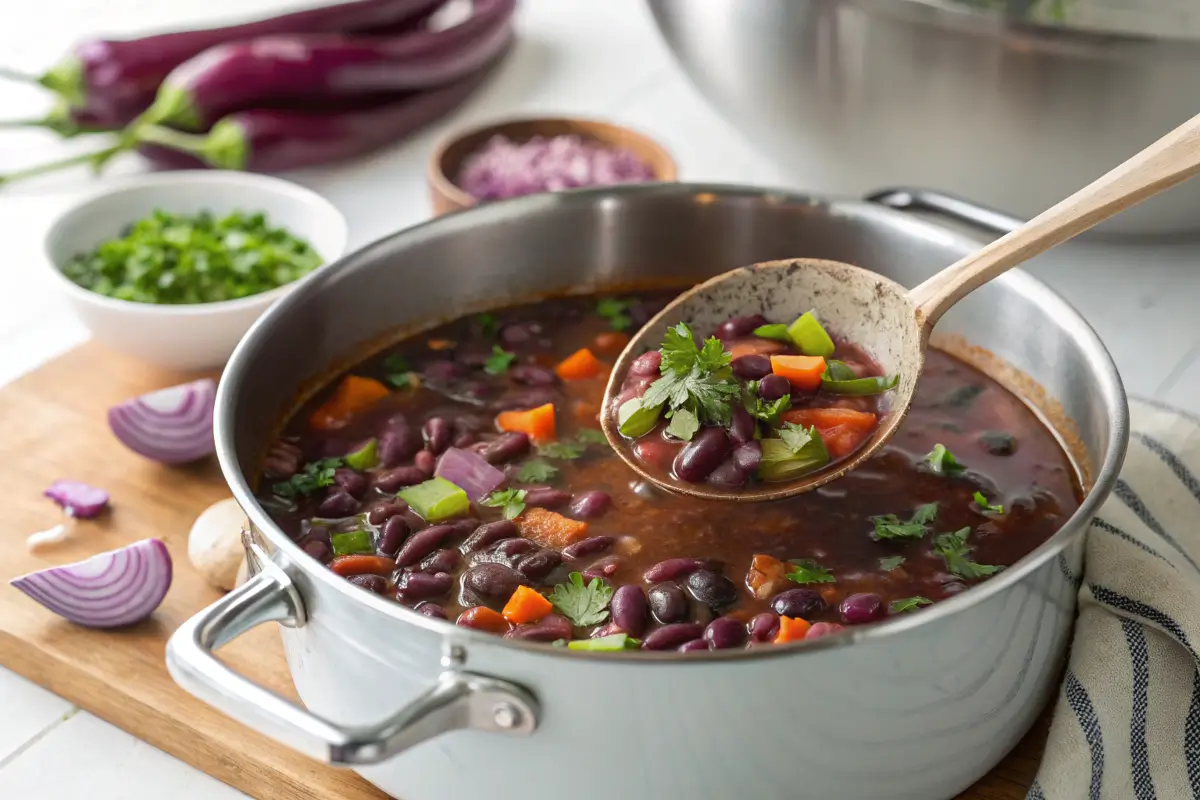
1127	720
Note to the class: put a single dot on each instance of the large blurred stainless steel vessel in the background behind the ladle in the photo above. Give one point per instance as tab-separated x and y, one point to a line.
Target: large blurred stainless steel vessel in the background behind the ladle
848	94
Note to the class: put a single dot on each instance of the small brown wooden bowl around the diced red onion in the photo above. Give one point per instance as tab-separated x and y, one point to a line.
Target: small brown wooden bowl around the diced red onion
449	157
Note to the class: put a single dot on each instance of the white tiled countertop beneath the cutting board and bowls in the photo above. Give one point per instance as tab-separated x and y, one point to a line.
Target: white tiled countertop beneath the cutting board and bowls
575	57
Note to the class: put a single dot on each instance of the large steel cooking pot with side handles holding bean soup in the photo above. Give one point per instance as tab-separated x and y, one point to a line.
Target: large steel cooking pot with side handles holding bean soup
916	708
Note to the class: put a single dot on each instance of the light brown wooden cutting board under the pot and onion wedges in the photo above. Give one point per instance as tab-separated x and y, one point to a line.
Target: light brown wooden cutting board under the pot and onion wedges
55	426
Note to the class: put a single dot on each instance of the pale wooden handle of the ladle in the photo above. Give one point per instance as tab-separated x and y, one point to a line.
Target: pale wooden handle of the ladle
1171	161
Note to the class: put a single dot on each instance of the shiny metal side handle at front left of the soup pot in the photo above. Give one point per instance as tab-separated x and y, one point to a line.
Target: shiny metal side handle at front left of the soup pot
459	701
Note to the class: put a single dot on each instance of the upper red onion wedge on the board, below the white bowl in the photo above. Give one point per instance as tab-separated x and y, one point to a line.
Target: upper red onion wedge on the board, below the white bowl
172	426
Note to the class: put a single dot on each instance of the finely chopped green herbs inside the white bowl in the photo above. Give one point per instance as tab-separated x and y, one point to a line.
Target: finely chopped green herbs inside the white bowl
175	258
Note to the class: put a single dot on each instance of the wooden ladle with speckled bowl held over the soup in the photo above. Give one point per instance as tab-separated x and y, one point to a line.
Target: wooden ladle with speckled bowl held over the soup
890	322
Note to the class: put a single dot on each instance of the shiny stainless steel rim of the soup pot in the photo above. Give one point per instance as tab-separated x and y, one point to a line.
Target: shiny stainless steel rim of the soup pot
1111	388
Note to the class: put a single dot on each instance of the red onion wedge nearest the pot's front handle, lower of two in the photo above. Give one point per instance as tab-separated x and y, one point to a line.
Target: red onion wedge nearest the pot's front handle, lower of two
117	588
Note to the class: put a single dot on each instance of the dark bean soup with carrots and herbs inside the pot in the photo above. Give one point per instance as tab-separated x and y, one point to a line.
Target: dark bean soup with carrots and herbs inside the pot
464	474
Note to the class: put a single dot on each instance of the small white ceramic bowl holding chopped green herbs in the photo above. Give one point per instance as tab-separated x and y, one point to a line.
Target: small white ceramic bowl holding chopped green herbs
185	336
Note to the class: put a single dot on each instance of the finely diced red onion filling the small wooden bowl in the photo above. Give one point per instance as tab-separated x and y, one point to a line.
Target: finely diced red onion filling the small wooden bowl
503	169
